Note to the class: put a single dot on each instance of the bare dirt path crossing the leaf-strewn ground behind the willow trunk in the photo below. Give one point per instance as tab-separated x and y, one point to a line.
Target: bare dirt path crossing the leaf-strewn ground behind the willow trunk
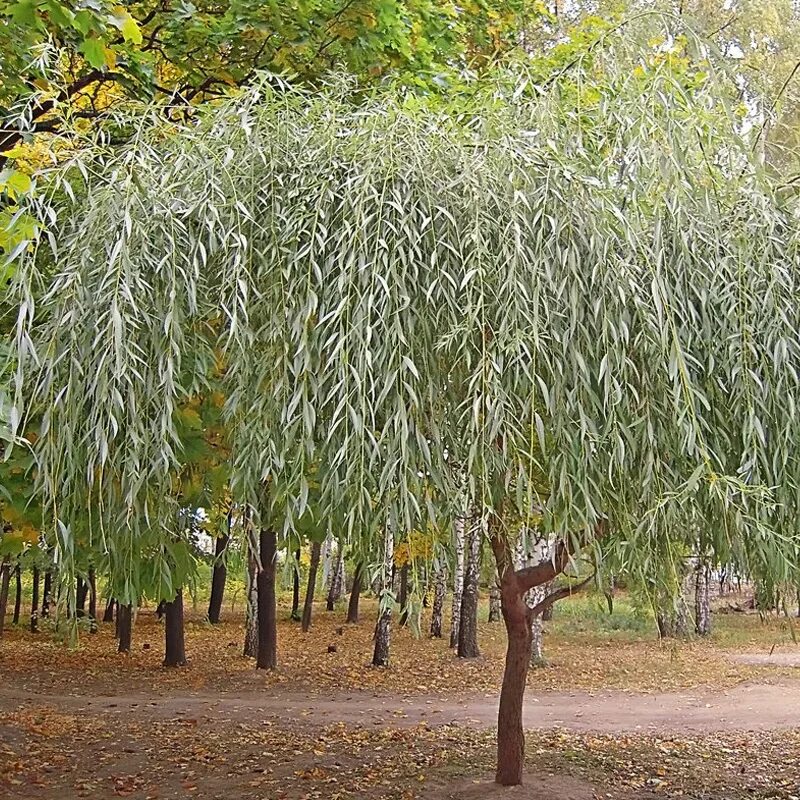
745	707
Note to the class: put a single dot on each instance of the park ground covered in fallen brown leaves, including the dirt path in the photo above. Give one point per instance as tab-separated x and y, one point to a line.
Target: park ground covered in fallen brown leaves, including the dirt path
616	715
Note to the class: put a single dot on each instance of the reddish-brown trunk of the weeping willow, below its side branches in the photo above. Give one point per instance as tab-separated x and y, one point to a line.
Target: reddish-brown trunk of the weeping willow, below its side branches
510	734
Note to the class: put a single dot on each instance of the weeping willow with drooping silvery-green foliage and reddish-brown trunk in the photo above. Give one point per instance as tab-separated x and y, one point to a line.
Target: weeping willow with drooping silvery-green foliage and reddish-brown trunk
582	282
